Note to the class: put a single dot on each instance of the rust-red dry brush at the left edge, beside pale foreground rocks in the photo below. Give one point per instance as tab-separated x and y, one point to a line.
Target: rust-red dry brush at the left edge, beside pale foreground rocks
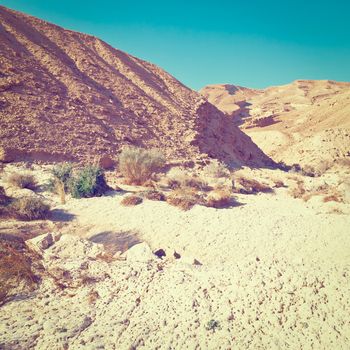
16	271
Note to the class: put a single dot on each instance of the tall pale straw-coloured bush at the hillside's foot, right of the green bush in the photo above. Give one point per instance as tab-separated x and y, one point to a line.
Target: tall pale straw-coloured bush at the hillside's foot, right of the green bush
137	164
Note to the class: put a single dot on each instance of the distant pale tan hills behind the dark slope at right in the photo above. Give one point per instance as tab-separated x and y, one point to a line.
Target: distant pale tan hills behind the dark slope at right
303	122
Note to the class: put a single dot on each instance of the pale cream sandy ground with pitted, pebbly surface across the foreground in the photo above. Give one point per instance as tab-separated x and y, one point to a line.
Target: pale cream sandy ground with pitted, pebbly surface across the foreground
274	274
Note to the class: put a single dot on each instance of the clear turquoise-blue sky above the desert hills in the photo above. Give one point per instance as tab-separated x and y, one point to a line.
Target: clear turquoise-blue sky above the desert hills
250	43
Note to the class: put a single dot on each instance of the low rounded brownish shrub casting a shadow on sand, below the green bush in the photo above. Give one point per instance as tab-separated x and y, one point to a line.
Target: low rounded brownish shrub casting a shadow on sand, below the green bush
29	208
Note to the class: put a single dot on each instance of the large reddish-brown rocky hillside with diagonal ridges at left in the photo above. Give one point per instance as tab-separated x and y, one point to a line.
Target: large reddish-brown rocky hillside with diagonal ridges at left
67	95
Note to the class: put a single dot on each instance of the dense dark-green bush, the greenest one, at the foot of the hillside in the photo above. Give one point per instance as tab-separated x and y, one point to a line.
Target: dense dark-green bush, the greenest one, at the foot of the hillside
88	182
